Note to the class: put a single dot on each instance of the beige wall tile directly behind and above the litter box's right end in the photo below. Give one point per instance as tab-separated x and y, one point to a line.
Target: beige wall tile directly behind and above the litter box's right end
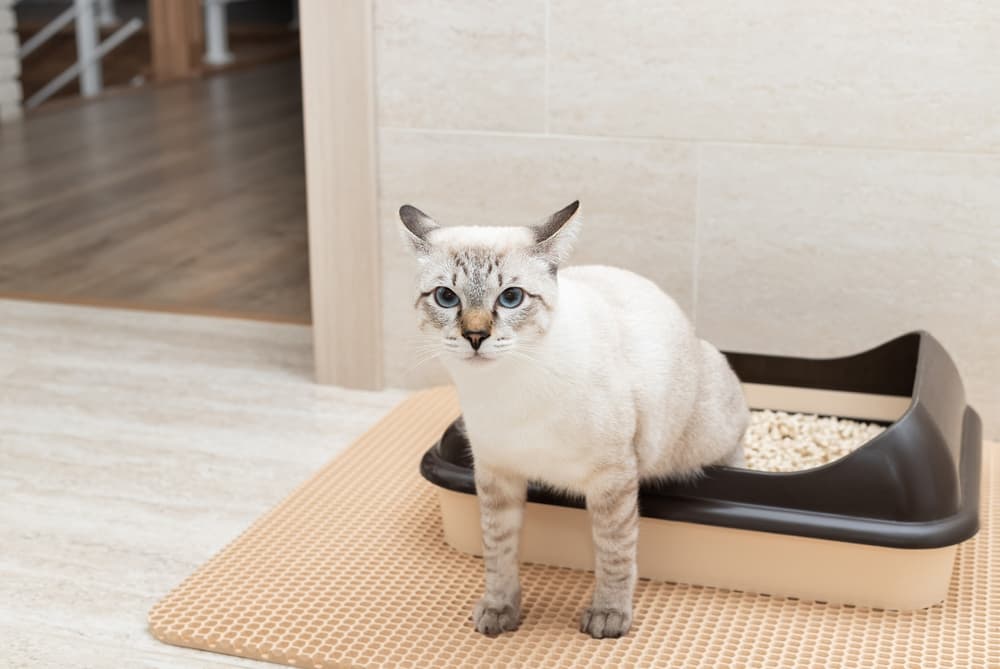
823	252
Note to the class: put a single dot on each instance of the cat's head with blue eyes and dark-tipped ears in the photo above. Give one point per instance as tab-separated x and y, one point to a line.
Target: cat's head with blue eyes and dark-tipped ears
486	293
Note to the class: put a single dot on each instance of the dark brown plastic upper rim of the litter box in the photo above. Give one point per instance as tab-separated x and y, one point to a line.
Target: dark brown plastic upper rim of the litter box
731	497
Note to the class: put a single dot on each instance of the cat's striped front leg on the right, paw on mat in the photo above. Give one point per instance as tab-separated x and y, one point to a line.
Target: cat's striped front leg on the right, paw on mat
612	500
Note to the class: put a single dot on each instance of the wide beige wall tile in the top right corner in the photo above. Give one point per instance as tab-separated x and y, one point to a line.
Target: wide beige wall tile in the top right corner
854	73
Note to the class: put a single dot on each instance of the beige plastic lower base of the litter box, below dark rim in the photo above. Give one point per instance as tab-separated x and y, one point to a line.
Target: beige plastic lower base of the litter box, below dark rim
777	564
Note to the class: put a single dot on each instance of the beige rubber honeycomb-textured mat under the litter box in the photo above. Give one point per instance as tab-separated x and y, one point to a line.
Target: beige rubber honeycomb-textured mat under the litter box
351	570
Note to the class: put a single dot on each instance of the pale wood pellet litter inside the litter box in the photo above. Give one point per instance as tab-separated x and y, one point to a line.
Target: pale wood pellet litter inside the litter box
777	441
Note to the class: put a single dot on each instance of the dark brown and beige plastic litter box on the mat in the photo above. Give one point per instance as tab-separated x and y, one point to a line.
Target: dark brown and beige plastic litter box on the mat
879	527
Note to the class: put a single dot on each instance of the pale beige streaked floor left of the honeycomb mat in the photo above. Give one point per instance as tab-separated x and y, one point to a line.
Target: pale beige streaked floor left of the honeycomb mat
133	446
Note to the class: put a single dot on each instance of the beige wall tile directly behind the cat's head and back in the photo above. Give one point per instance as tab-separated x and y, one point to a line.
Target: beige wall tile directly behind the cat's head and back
637	203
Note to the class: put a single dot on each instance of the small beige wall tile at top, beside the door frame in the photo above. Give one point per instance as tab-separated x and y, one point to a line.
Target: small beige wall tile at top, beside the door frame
464	65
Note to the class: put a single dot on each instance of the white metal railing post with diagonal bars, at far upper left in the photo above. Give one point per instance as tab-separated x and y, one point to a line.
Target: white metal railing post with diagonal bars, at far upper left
89	49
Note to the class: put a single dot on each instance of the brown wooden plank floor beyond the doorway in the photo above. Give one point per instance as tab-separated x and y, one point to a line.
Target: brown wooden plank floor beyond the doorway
186	197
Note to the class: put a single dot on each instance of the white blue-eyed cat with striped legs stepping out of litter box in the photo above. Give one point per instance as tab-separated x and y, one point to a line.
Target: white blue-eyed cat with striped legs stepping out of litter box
586	379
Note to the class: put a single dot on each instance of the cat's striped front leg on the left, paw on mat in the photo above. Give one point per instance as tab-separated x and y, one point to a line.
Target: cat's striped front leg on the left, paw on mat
501	510
